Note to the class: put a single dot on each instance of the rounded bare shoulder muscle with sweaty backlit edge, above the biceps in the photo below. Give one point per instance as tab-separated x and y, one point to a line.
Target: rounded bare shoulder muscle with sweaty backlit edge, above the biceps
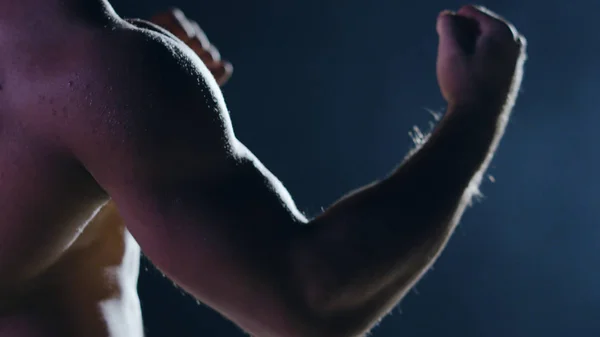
142	96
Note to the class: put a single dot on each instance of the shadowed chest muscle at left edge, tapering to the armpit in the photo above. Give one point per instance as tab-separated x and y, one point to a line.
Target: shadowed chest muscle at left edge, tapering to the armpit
45	200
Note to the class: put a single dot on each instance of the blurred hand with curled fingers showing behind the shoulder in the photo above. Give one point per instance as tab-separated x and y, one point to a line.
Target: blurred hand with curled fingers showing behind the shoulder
176	23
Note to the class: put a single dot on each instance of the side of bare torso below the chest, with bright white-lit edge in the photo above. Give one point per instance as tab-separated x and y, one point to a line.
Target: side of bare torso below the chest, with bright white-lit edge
89	291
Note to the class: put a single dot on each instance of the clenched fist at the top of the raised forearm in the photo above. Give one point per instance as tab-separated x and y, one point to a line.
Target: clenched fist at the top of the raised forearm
480	57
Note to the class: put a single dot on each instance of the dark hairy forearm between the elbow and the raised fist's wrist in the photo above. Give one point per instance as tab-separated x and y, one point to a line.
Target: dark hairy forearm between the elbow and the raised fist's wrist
362	255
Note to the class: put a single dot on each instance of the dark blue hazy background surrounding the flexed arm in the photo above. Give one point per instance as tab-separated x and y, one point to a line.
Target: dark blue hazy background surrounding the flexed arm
325	92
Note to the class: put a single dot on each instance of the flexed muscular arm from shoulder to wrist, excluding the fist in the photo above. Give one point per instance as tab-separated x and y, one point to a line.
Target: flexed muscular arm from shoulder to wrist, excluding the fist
218	223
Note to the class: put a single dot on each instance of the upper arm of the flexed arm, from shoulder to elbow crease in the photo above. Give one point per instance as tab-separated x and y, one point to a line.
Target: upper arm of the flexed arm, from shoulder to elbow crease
158	139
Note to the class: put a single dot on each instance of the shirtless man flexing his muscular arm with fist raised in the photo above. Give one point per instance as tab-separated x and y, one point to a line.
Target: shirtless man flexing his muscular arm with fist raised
97	107
